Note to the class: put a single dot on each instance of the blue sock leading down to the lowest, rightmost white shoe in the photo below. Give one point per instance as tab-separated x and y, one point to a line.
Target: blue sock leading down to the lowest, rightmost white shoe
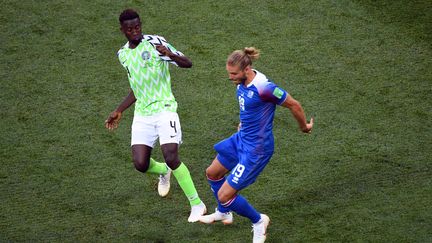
242	207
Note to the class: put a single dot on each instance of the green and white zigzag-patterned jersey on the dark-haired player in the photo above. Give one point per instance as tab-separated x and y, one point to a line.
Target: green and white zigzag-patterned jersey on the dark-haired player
149	77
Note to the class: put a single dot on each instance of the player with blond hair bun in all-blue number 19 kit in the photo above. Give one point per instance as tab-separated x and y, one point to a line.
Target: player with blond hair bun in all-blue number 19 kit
247	152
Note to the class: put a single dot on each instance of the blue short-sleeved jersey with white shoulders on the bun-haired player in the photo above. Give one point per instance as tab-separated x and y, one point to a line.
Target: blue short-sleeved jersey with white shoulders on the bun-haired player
257	103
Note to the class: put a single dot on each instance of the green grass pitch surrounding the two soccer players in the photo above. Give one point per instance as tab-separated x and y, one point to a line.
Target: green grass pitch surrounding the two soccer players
361	68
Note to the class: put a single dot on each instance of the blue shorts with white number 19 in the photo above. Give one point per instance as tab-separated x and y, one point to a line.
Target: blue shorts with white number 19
244	166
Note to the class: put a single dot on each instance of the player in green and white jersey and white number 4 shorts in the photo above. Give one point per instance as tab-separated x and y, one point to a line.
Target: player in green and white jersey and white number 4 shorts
146	59
